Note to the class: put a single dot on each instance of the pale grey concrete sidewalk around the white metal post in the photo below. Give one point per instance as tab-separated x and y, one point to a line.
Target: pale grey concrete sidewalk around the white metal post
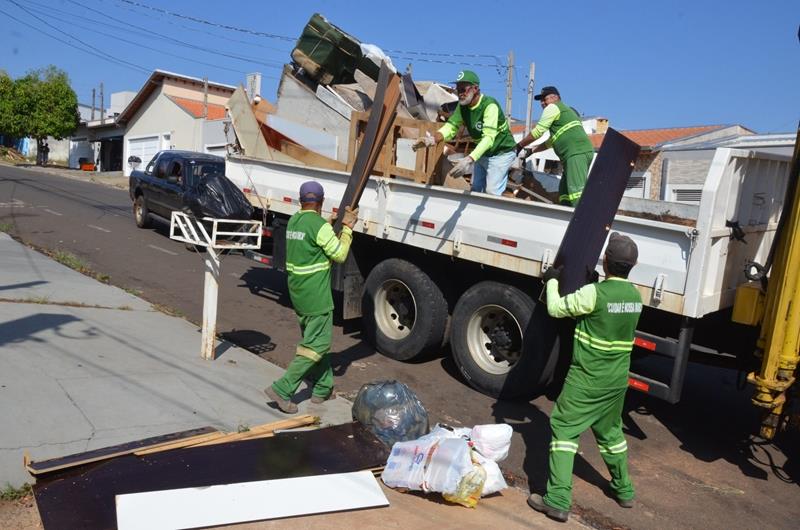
85	365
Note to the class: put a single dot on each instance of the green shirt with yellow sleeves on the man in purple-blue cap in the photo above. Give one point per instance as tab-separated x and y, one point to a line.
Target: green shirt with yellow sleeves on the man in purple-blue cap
311	244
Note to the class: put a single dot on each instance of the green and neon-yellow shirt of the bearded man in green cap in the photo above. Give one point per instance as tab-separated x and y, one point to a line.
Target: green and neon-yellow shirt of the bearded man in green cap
485	123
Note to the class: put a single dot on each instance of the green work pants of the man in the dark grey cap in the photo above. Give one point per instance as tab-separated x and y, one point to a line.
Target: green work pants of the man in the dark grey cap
576	410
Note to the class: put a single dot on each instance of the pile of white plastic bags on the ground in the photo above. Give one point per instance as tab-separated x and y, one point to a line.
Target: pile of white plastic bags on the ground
459	463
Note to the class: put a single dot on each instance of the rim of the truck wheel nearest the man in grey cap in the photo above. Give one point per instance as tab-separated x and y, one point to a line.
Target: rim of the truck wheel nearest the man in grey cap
494	339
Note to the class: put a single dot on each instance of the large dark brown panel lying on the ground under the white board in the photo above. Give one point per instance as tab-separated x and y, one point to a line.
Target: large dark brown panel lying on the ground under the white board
84	497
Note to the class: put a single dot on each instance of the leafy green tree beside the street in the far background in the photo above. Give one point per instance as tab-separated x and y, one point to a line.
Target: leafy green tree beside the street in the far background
42	104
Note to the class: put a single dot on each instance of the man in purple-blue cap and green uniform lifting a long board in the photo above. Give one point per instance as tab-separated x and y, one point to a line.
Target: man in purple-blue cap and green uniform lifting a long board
311	246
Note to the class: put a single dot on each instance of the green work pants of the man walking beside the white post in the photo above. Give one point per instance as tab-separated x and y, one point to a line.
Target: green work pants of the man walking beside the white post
312	358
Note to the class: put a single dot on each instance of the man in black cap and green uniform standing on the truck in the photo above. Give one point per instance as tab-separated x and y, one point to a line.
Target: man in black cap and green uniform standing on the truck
568	140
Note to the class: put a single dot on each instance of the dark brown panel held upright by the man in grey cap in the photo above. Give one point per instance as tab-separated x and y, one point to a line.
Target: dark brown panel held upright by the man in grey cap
591	222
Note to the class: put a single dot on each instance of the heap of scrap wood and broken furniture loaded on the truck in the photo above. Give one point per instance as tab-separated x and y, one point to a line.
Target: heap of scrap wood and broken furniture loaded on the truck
324	102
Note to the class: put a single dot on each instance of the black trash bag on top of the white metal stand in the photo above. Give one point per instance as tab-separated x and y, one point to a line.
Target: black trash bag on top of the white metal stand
217	197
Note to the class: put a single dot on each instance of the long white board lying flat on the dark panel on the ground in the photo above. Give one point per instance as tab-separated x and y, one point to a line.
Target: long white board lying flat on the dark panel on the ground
248	501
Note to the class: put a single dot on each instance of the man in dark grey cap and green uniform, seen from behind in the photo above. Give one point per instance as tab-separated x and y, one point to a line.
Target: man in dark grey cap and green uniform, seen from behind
606	315
